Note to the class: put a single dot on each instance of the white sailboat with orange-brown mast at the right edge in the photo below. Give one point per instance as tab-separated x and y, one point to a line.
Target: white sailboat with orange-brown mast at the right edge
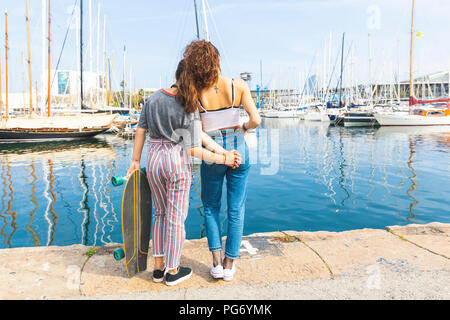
421	112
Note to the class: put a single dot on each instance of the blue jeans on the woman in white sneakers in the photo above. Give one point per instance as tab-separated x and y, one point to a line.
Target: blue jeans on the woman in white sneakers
212	177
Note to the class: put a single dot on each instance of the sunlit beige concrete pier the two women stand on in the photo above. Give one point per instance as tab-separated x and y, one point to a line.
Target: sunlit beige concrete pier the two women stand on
400	262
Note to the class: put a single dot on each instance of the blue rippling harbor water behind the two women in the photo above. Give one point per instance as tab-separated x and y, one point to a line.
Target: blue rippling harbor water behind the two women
305	176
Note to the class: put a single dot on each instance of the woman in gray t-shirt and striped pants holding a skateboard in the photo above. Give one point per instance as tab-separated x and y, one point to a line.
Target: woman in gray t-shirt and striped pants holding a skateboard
175	132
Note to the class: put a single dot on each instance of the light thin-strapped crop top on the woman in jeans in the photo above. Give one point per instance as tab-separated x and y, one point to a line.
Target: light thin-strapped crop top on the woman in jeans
221	118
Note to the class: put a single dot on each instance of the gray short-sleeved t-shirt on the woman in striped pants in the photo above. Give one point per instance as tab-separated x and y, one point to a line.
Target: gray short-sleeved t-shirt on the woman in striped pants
166	118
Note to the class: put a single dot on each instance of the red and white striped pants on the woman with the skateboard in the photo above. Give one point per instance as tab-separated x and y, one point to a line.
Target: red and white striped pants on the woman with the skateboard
169	173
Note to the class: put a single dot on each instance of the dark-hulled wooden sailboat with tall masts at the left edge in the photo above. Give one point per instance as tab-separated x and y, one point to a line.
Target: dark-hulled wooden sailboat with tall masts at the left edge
34	127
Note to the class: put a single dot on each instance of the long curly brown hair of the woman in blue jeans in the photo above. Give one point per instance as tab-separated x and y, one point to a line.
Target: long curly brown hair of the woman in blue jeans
201	71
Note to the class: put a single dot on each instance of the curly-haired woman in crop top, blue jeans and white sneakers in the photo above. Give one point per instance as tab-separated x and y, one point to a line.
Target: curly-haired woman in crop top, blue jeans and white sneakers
218	98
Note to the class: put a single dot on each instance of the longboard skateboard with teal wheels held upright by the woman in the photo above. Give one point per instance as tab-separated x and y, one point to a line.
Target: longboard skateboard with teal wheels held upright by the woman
136	221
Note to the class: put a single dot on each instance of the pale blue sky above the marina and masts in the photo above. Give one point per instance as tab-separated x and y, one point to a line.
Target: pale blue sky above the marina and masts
285	35
